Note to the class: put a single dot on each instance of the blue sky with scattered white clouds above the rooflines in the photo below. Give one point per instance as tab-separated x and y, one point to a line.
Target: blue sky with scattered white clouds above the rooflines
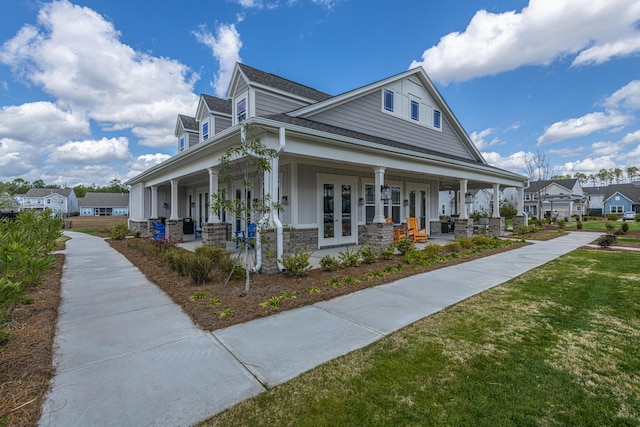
90	89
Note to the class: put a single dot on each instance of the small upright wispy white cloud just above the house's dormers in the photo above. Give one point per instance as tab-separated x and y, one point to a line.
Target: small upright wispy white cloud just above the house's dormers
225	47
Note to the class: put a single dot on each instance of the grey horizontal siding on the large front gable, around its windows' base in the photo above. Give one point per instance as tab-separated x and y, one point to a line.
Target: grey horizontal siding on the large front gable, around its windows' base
365	115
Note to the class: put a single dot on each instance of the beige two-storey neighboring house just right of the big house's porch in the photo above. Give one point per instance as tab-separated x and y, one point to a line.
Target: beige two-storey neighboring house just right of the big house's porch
561	198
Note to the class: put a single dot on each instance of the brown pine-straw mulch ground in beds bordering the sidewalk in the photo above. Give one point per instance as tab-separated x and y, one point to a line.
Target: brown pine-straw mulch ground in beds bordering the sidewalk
26	360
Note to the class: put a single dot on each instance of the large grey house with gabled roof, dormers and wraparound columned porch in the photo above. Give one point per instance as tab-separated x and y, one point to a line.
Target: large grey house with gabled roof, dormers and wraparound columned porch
345	163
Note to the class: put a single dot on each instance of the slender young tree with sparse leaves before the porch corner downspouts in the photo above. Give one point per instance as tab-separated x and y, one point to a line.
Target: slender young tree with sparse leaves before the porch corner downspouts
246	162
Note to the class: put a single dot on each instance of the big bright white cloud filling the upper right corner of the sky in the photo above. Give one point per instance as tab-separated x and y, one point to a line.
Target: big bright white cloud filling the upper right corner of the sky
539	34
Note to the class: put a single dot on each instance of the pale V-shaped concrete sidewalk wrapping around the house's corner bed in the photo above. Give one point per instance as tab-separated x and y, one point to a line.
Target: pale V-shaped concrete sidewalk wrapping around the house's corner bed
127	356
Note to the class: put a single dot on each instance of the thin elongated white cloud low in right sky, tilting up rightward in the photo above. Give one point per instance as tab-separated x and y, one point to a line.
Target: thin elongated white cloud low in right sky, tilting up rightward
583	126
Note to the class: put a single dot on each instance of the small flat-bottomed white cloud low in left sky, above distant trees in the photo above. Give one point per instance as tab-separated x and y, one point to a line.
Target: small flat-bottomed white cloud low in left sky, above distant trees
103	151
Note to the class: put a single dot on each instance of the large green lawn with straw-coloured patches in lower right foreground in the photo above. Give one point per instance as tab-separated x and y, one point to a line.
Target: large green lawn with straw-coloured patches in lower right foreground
559	345
